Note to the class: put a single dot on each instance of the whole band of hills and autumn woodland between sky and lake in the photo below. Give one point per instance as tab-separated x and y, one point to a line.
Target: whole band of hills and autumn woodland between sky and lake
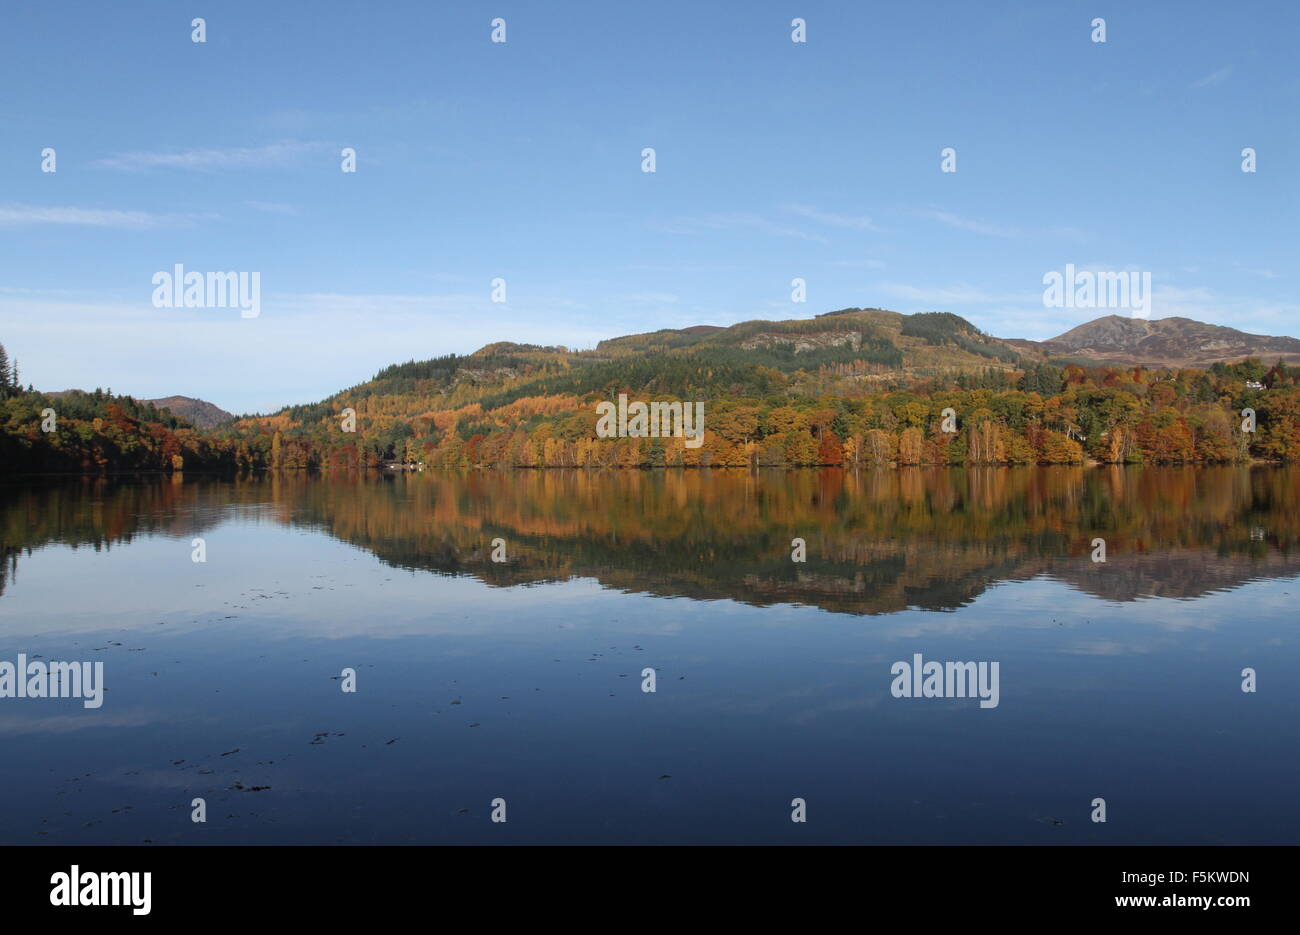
857	387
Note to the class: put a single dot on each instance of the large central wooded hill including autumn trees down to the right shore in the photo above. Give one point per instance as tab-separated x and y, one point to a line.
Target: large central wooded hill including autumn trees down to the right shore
853	387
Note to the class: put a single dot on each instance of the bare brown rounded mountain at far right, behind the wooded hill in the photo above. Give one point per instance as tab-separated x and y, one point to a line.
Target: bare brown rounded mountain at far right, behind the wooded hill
1164	343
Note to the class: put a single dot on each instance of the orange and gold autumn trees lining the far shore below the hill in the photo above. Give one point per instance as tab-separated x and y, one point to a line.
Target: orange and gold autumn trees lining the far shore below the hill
1043	414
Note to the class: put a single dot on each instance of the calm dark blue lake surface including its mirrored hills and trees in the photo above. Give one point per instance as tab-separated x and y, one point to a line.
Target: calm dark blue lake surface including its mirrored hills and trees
522	679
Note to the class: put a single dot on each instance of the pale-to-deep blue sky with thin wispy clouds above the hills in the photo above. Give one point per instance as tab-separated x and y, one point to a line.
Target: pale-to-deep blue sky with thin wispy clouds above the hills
523	161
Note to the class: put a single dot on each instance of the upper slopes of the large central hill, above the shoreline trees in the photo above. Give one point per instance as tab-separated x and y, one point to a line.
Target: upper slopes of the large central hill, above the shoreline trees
840	350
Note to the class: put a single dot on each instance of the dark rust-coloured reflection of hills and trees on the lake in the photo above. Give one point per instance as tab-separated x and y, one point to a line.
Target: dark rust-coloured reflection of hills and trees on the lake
878	542
